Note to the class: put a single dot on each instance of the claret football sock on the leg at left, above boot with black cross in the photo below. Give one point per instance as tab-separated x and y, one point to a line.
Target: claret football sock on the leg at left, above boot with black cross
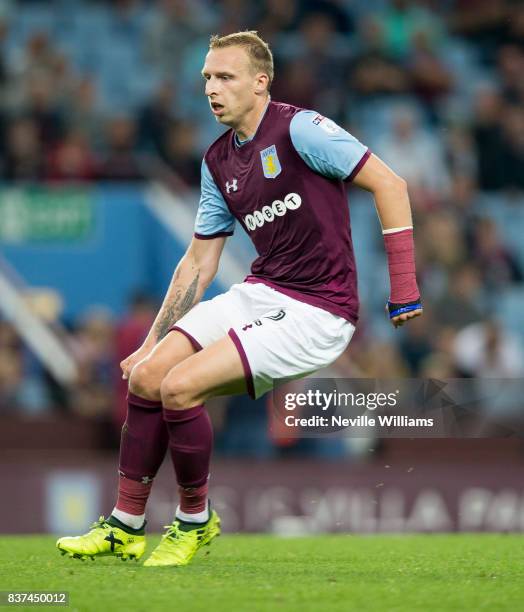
142	449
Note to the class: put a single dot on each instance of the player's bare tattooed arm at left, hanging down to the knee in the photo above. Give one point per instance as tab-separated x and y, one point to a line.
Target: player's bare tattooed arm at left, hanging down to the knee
192	276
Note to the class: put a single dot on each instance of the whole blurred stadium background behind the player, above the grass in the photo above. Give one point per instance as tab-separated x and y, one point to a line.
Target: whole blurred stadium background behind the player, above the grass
103	124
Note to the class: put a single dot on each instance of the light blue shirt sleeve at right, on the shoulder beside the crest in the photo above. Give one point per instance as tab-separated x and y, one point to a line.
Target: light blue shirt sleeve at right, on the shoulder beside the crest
324	146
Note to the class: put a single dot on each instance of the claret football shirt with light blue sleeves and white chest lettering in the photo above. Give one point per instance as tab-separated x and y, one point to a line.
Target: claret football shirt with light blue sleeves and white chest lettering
287	187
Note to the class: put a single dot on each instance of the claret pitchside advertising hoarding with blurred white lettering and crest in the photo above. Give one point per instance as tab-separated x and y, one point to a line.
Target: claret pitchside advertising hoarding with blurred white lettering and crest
284	497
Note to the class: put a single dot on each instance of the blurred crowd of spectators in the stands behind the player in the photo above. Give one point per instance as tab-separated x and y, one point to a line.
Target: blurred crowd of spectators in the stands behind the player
93	90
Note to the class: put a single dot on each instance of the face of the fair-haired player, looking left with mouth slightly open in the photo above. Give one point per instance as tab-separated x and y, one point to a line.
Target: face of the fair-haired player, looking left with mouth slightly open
231	85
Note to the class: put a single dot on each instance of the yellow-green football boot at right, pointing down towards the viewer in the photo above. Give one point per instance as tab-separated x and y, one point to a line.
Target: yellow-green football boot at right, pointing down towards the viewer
182	540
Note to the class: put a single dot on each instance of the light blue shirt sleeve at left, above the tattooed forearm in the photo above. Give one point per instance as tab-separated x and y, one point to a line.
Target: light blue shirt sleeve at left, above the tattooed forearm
213	216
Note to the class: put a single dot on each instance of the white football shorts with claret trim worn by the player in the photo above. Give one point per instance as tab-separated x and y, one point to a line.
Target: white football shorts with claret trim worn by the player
278	338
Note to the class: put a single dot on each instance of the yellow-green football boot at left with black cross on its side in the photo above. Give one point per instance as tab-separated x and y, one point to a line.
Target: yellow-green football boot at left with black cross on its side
102	540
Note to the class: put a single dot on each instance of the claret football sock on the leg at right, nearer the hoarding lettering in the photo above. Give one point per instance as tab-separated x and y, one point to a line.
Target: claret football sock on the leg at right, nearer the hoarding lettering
190	443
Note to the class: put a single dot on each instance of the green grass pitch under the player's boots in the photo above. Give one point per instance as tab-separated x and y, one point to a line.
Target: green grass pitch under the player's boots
251	573
